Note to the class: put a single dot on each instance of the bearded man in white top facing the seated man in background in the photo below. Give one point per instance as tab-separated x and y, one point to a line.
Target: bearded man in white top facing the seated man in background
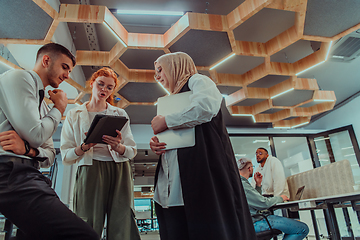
274	181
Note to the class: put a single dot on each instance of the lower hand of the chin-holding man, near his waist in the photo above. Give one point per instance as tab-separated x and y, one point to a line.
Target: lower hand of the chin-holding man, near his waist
11	141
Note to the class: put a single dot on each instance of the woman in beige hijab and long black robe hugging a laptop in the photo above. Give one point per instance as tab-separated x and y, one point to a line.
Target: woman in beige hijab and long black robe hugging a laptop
198	193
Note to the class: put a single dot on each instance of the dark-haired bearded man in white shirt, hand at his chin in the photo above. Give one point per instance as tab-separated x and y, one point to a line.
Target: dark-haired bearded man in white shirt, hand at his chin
26	127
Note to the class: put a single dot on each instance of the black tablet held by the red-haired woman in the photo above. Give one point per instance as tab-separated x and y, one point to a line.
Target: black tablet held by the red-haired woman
104	125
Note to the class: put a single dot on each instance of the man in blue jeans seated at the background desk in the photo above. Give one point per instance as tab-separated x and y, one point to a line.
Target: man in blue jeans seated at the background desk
293	229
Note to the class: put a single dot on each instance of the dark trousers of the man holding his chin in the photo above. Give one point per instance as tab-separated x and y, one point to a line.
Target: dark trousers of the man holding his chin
29	202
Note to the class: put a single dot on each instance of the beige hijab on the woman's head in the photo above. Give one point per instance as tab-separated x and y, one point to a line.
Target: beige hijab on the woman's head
178	68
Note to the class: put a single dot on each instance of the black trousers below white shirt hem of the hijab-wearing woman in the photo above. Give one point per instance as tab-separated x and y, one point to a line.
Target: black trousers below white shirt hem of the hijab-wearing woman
172	223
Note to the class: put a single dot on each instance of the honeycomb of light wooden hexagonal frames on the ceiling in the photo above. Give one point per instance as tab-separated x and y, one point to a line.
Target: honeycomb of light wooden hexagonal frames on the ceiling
263	104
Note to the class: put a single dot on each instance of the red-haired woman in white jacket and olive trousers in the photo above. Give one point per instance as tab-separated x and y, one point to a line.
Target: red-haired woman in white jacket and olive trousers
104	184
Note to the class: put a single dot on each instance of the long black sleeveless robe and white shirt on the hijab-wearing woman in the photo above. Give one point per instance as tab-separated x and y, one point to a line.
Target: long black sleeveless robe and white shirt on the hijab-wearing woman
204	178
